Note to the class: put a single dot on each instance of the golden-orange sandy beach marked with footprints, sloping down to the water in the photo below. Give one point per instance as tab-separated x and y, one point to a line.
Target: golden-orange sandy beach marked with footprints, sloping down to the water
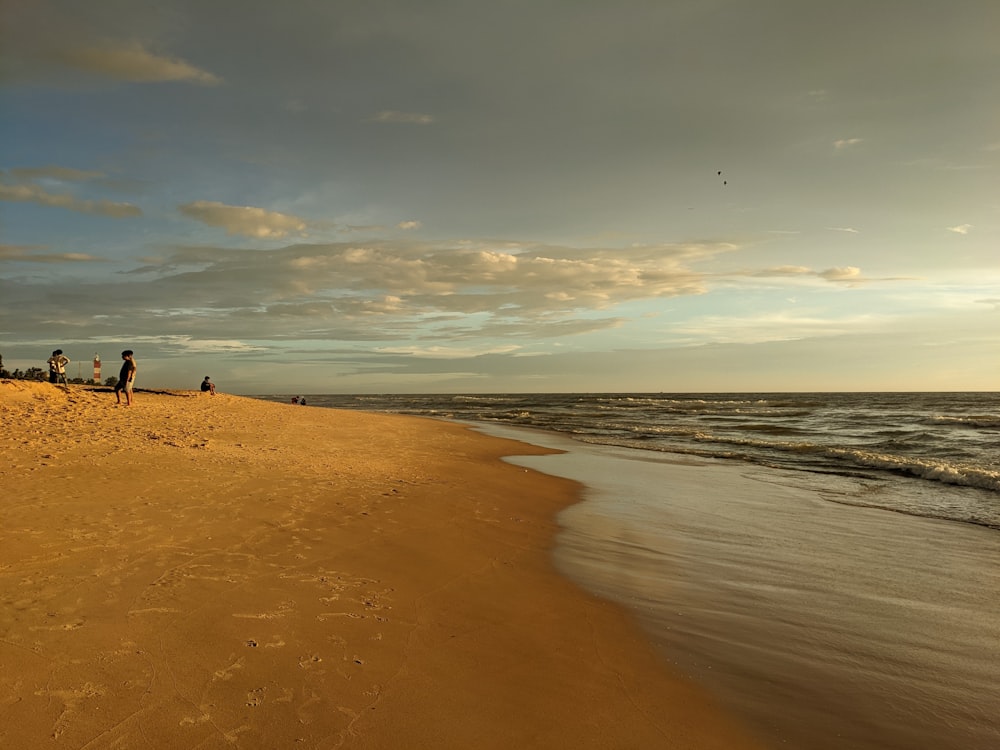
216	572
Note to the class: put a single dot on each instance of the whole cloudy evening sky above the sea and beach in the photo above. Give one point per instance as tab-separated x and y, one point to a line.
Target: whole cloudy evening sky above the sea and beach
394	196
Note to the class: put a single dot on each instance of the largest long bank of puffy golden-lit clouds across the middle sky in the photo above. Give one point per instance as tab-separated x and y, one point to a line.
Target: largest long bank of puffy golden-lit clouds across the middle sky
388	290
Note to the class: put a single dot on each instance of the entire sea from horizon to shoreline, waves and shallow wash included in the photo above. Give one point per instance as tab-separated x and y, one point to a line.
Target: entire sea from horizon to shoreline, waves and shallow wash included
828	565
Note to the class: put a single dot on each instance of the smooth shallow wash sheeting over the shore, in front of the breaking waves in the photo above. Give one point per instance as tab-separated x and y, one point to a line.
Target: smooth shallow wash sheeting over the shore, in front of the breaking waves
824	623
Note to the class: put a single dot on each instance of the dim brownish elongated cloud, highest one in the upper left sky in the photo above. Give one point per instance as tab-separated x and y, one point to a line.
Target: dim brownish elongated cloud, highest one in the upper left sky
132	62
